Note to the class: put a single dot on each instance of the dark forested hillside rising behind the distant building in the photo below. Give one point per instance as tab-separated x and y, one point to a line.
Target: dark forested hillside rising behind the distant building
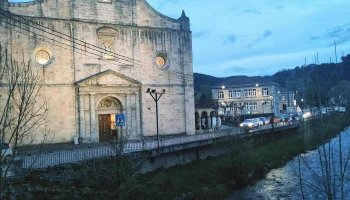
319	82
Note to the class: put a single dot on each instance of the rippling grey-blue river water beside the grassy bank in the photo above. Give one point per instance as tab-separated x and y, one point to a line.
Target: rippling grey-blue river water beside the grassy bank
284	183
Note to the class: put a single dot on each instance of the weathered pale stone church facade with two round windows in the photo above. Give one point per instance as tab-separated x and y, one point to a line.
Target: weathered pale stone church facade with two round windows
96	60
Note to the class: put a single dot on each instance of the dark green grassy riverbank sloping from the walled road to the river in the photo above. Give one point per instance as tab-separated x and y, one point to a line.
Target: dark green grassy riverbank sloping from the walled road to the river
247	160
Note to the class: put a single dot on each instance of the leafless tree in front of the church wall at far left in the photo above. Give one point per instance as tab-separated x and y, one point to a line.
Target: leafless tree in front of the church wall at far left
23	110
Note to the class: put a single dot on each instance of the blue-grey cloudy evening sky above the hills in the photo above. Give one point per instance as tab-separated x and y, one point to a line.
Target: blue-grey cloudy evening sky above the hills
261	37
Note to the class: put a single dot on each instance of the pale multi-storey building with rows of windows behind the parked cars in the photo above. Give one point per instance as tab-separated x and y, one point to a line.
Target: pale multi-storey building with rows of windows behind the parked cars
251	96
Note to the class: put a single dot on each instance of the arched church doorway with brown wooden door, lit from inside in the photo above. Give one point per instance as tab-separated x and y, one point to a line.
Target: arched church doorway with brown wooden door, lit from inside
106	111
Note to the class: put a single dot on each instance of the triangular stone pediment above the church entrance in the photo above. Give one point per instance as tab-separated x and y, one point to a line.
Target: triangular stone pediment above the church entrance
108	78
